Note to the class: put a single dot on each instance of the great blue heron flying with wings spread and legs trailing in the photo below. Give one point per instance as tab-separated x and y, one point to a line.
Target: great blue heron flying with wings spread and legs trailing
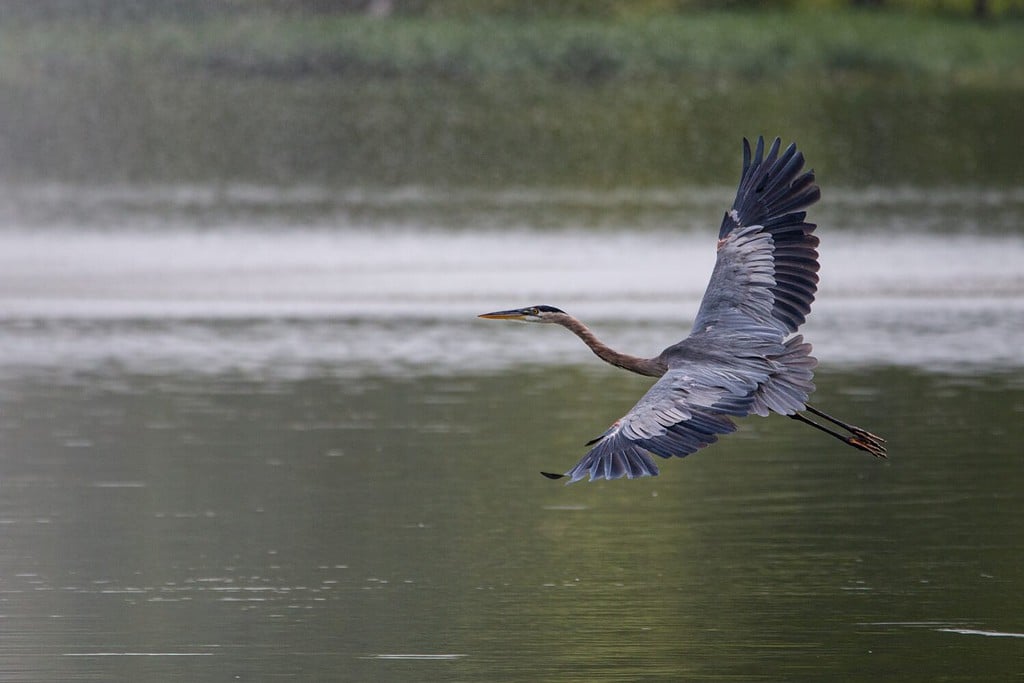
740	359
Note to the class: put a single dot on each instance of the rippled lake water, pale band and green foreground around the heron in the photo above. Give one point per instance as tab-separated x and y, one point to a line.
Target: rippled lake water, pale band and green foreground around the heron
259	434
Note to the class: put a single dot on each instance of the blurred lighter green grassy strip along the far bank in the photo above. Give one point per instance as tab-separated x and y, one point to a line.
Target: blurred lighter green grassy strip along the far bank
701	46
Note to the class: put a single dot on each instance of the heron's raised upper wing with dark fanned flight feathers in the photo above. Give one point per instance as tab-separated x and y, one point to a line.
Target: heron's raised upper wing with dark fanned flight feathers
767	264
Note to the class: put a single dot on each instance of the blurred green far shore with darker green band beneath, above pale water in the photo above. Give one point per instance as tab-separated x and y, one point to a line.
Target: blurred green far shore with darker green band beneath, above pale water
298	97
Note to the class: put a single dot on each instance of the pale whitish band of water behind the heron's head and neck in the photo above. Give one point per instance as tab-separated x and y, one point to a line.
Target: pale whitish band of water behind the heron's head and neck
293	280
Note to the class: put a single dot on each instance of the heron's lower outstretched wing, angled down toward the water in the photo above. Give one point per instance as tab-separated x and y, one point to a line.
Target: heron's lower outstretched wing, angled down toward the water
685	411
